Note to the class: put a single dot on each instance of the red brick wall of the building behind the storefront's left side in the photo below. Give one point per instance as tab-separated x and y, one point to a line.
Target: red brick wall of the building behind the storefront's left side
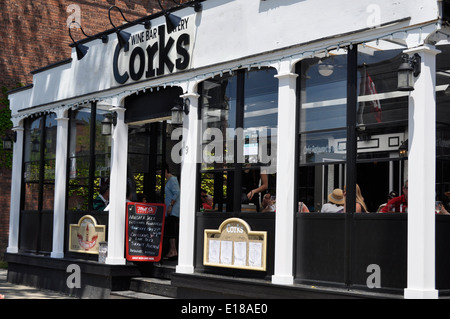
34	34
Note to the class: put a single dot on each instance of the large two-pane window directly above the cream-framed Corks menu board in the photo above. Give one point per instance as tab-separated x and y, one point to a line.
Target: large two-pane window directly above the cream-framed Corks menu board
239	116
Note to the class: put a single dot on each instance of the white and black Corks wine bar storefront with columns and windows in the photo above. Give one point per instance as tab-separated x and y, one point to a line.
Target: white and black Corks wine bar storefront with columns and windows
282	98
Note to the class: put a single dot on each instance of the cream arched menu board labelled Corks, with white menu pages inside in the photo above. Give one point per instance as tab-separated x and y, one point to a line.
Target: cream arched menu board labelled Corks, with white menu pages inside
235	245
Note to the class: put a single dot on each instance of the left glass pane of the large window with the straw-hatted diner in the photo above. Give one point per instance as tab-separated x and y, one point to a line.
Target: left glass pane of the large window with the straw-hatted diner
322	127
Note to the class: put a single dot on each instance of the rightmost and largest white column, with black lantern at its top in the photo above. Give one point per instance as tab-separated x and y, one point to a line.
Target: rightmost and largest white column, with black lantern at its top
421	180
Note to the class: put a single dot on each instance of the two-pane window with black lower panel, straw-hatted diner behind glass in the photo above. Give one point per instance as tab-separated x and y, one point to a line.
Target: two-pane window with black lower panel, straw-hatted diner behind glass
353	124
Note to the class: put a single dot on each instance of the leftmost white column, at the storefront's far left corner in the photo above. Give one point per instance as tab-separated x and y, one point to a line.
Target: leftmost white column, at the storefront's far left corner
16	186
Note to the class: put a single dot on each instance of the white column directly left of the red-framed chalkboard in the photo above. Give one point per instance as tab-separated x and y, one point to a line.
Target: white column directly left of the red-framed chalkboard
117	191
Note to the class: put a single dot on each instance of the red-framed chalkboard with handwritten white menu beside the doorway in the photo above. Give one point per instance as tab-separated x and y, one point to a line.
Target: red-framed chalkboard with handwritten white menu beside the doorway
144	231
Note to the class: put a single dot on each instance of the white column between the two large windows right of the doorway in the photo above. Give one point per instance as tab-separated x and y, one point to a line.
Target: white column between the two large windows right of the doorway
284	217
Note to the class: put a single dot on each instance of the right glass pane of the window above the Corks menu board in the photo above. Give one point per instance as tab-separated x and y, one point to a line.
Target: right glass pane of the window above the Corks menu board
259	139
